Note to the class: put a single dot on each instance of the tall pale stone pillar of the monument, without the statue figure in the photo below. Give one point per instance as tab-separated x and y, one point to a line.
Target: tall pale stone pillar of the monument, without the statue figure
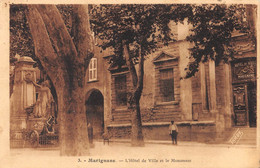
23	96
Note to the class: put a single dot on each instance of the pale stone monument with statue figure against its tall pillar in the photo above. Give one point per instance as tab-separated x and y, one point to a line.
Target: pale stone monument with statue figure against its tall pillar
30	103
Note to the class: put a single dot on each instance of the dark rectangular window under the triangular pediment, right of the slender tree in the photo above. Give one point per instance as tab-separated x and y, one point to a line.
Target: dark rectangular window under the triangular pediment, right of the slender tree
166	85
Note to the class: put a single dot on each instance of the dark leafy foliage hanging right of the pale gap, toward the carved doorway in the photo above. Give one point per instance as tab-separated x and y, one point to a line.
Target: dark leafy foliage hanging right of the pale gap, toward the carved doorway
212	29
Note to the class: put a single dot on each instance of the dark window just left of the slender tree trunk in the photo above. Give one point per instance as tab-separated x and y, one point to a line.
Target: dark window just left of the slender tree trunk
120	89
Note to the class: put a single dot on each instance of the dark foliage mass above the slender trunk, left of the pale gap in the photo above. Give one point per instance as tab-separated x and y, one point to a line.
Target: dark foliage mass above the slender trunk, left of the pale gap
145	25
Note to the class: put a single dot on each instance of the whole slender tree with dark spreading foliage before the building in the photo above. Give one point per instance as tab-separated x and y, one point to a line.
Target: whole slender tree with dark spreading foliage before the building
135	31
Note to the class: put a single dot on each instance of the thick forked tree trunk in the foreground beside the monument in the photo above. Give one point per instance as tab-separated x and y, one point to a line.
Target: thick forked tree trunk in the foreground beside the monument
66	68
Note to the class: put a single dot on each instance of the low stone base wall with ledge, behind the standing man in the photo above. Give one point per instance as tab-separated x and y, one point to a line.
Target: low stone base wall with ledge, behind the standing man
189	131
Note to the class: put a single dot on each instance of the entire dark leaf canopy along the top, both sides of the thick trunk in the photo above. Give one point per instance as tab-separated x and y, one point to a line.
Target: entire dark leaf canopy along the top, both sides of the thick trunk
211	33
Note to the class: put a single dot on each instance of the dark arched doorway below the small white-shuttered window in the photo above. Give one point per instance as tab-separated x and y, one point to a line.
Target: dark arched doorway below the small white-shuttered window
95	112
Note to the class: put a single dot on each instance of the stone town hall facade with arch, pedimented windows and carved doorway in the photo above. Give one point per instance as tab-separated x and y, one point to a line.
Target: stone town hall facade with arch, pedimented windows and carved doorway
205	107
